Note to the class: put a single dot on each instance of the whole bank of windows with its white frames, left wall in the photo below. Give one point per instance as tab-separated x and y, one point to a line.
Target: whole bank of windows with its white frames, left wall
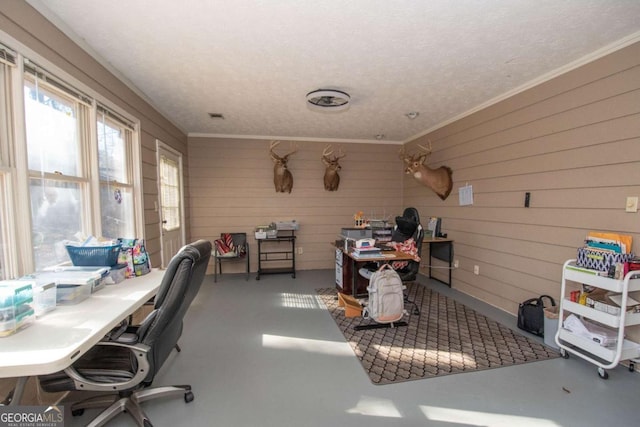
67	167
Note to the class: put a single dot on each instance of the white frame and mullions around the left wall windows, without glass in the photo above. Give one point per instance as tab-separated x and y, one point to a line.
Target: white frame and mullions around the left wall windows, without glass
16	177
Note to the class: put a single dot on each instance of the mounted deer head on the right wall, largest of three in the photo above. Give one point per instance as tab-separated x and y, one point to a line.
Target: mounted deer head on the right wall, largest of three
439	180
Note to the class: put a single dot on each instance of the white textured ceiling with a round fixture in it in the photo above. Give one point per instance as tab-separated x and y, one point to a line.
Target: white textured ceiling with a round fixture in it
255	60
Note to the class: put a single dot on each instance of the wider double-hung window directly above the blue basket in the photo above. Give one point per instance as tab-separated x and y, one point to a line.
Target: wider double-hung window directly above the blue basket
56	129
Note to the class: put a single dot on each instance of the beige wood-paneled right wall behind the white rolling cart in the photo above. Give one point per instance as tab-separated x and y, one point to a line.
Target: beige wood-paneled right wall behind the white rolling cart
574	144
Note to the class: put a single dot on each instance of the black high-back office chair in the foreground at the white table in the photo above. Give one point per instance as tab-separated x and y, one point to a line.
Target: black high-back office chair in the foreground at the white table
127	362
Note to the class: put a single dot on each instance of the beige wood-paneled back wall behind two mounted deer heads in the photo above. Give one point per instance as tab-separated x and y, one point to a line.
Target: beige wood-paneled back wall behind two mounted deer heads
232	190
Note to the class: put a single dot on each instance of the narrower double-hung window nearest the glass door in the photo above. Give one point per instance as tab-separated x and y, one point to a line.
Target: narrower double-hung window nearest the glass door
115	136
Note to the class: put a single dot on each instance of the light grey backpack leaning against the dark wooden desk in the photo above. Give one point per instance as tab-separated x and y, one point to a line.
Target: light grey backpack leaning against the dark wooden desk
386	296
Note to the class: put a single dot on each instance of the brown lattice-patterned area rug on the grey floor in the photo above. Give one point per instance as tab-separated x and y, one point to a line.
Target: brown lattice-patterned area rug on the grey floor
447	337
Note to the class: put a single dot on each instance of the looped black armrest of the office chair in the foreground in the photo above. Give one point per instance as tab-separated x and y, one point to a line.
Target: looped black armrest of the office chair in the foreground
141	354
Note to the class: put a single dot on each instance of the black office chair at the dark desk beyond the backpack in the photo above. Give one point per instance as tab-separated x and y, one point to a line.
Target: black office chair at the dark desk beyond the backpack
408	226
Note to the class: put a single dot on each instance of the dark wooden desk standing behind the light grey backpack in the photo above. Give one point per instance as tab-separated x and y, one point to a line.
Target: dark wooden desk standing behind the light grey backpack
348	280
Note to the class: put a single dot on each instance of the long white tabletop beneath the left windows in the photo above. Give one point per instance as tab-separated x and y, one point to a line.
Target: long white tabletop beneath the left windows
54	341
